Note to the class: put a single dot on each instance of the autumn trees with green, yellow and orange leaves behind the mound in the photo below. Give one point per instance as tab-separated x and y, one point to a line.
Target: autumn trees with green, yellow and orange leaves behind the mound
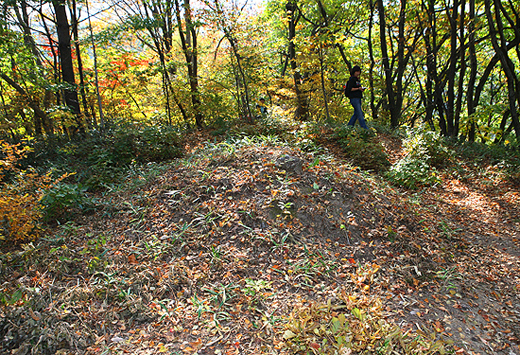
450	65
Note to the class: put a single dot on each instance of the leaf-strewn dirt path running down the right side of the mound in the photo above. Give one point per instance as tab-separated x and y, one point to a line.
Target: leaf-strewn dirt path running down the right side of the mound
474	297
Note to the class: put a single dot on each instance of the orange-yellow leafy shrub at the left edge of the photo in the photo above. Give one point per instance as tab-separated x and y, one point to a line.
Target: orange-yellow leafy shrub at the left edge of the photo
20	195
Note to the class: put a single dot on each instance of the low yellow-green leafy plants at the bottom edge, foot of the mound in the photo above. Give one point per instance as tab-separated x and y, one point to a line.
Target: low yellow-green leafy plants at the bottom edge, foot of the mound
355	326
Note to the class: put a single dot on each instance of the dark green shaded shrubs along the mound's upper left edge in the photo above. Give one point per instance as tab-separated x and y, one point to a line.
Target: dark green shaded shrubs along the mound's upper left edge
102	159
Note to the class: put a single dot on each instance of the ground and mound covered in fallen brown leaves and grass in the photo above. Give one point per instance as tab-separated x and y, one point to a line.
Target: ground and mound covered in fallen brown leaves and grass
229	251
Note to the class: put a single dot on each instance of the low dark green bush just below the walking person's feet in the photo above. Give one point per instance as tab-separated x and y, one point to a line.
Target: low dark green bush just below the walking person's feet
362	147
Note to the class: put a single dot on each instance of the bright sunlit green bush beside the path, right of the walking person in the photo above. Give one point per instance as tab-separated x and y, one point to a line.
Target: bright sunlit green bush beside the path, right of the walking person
425	150
